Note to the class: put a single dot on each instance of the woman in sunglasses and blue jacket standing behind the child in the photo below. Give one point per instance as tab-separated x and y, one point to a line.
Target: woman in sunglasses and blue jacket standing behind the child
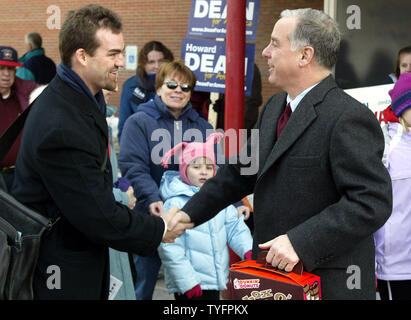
169	112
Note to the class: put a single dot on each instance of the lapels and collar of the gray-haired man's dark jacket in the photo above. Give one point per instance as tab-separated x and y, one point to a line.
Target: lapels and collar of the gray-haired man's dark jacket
300	120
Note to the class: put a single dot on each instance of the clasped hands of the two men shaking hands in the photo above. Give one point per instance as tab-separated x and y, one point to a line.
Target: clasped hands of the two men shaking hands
177	222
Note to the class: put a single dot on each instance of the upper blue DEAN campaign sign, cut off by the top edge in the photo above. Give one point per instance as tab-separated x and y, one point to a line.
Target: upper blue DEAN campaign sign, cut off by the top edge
208	19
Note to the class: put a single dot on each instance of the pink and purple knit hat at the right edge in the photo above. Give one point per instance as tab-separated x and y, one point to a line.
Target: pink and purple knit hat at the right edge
401	94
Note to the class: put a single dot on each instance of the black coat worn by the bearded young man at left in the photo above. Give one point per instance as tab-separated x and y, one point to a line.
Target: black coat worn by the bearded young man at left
60	172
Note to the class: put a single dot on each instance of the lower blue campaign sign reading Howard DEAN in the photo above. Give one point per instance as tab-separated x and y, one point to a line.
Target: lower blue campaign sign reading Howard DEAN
206	58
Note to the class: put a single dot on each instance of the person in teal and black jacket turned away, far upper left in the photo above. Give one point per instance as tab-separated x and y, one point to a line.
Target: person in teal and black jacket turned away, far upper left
36	65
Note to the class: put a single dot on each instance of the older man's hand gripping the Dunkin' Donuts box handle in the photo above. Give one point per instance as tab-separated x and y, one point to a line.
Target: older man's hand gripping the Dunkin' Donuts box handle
281	253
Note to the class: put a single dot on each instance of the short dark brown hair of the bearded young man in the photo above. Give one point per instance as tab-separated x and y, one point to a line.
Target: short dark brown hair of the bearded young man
79	30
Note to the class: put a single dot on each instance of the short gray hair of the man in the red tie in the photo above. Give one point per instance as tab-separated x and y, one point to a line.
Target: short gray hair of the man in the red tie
318	30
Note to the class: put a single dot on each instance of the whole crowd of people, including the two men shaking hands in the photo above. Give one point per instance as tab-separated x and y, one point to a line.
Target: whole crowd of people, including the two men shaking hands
331	190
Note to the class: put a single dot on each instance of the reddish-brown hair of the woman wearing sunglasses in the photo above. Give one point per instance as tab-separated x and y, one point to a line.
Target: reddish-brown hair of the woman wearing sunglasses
175	68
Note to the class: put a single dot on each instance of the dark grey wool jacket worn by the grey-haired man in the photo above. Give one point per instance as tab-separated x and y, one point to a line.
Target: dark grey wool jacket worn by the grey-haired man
322	183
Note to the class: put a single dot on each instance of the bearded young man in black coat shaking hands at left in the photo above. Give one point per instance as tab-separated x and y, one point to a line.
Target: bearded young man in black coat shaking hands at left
63	168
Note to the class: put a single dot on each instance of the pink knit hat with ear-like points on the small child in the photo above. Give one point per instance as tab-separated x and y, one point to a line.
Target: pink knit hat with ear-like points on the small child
190	151
